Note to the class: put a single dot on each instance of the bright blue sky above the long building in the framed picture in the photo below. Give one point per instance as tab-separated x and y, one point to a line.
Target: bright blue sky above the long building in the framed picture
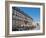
33	12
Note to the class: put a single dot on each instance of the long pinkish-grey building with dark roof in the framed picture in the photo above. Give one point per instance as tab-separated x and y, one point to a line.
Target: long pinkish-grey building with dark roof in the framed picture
20	20
